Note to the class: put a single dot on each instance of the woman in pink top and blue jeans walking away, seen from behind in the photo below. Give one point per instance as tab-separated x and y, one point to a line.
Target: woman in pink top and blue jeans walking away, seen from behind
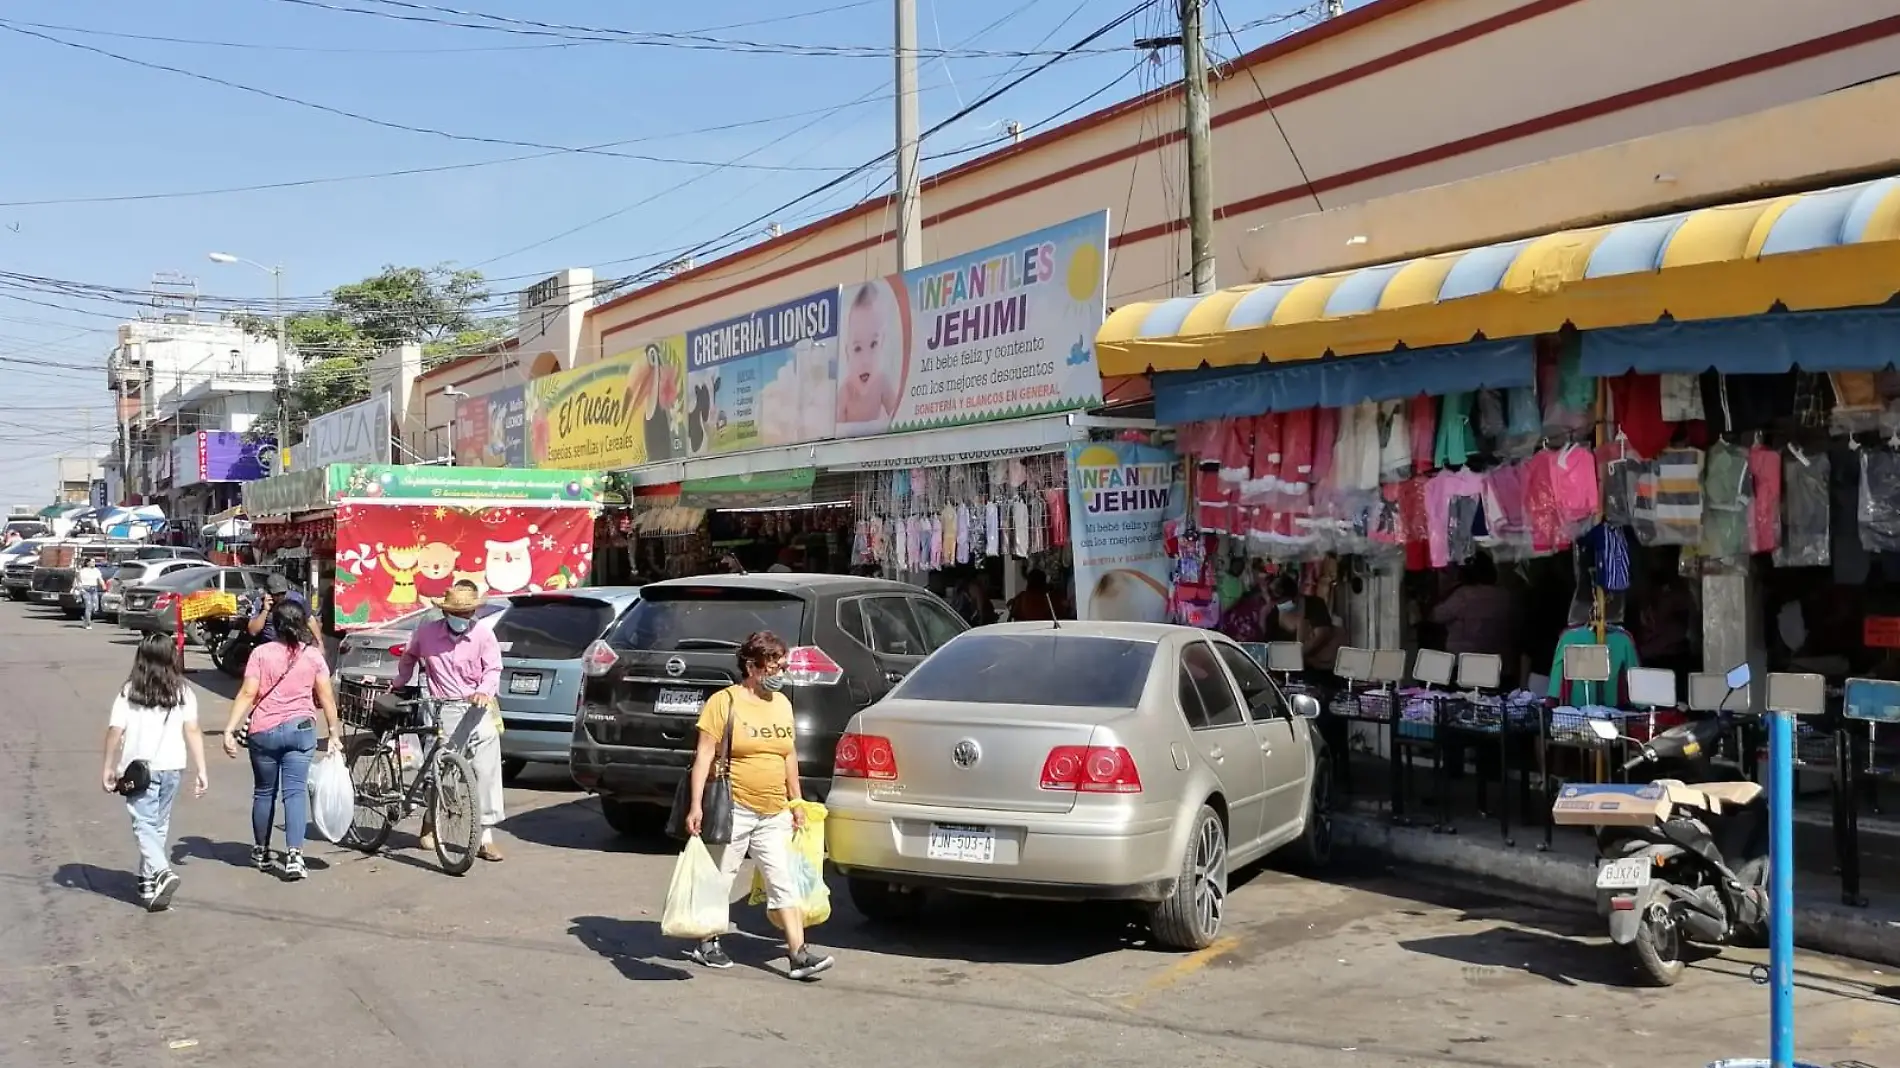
282	687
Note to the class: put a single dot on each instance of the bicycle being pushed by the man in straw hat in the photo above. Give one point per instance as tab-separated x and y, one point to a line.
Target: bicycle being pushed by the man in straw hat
442	784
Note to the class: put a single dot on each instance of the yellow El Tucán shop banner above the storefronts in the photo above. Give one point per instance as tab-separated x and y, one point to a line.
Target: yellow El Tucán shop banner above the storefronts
618	413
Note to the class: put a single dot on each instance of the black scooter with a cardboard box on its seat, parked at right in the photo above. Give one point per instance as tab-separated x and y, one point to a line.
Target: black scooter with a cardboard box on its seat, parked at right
1681	860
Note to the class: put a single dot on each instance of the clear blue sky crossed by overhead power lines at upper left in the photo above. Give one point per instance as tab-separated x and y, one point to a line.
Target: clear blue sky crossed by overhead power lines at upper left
92	126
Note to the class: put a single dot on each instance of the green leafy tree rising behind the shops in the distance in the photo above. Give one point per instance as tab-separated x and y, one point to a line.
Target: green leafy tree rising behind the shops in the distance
440	307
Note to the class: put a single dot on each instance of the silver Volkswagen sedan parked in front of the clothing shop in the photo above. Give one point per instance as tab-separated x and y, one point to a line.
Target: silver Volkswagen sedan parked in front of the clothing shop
1078	761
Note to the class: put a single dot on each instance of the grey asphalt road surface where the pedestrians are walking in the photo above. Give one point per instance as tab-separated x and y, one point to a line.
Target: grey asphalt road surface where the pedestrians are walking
554	957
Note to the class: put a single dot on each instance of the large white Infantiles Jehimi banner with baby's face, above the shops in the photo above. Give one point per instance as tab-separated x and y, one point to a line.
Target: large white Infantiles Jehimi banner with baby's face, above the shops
1000	334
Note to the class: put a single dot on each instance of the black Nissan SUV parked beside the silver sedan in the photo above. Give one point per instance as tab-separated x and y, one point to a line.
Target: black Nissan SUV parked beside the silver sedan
852	641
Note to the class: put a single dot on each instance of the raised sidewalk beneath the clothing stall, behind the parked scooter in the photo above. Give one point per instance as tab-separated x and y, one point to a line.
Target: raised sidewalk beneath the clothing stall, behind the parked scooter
1477	858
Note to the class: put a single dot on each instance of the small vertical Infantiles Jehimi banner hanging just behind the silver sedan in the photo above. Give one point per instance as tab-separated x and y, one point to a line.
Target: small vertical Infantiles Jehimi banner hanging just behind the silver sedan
1120	497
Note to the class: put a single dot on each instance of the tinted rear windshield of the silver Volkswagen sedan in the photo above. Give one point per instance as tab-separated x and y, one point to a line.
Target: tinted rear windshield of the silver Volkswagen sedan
1044	668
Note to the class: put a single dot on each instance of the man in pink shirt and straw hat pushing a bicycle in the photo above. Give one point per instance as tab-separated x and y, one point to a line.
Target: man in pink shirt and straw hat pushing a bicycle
463	666
